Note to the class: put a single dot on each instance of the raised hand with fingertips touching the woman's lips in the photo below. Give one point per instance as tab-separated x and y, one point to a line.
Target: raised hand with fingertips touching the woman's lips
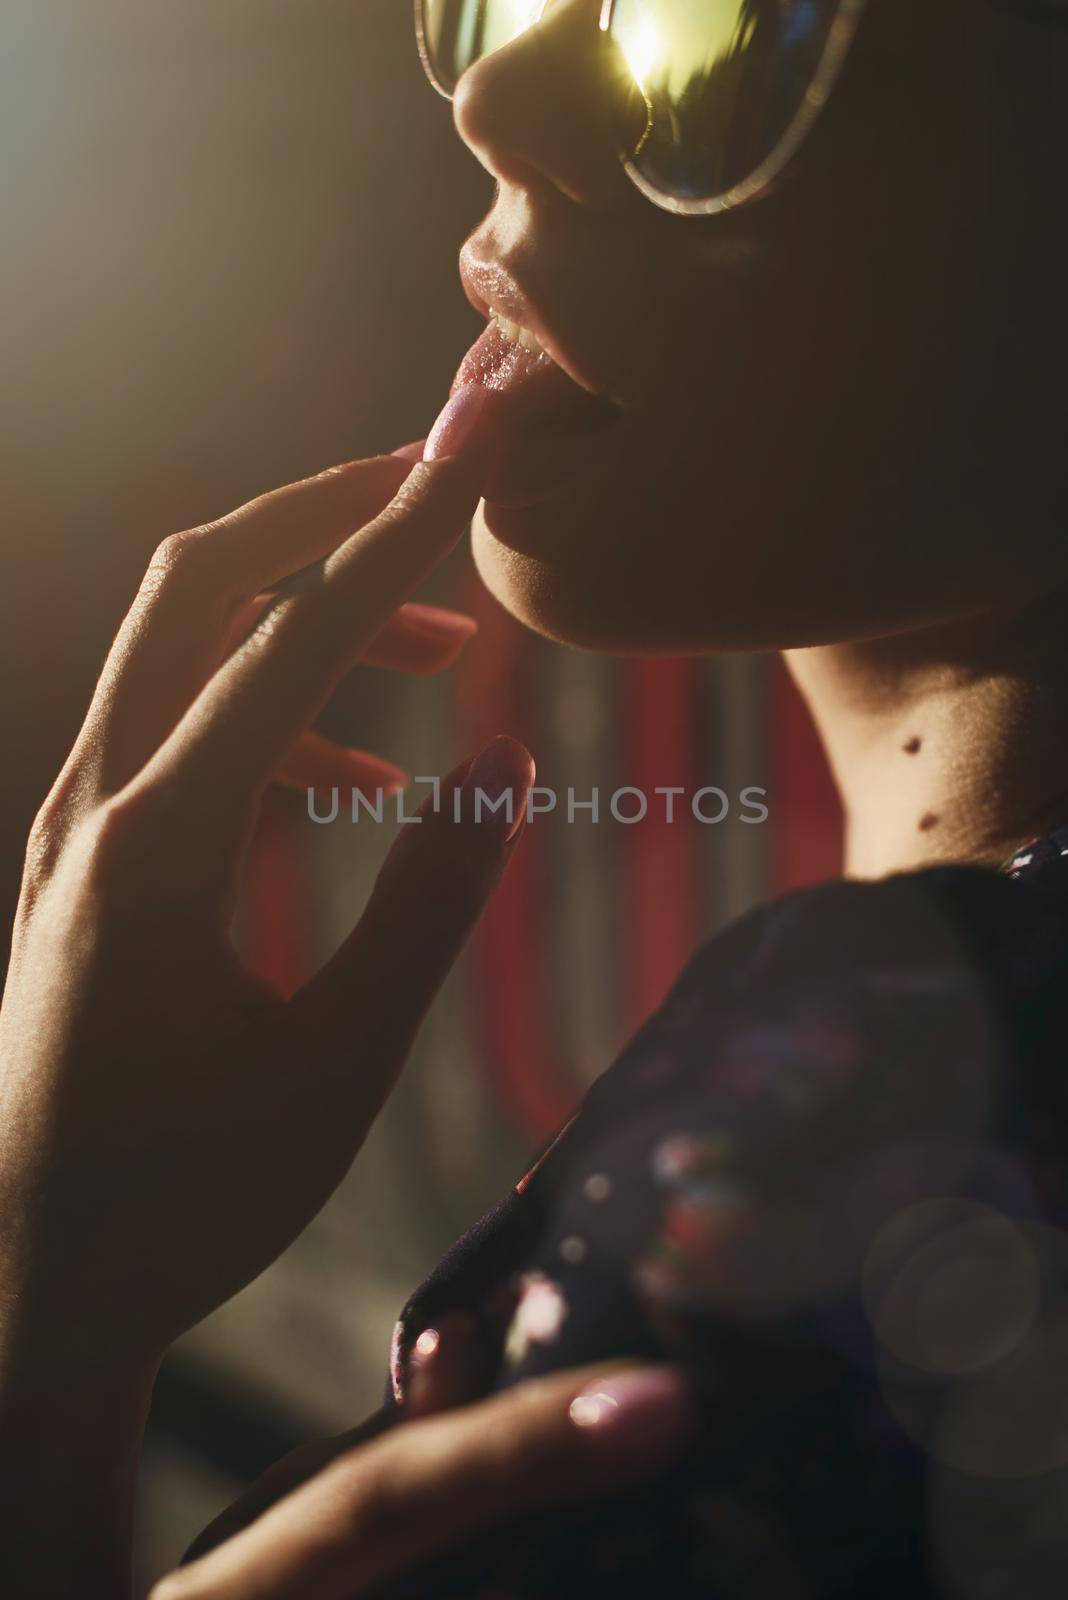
167	1122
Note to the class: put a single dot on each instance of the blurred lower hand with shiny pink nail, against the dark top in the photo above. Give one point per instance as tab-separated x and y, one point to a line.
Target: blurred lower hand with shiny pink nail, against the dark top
381	1510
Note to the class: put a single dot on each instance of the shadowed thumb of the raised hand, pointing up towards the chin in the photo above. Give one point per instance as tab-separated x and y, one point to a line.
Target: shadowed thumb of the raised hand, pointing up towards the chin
426	902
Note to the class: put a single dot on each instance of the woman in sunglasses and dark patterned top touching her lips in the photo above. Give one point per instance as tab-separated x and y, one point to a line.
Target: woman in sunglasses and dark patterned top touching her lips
714	412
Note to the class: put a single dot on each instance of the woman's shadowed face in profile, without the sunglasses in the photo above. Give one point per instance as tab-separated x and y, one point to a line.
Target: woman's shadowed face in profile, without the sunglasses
834	414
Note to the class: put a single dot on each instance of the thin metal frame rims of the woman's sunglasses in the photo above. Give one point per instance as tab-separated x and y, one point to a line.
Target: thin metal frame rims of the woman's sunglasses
771	169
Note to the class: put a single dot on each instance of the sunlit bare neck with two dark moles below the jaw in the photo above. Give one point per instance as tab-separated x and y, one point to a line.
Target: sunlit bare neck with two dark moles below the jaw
947	745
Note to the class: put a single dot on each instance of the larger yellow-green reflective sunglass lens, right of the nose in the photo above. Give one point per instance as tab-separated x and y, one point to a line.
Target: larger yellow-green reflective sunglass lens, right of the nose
723	81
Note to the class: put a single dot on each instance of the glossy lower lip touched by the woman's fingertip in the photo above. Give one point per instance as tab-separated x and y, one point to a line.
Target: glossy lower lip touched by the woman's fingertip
548	431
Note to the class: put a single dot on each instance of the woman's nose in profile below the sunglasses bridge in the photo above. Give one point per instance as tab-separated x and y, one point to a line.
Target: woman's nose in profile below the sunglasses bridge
552	106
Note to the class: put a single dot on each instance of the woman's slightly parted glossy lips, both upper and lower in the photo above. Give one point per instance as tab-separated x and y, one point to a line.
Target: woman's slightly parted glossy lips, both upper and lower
548	428
